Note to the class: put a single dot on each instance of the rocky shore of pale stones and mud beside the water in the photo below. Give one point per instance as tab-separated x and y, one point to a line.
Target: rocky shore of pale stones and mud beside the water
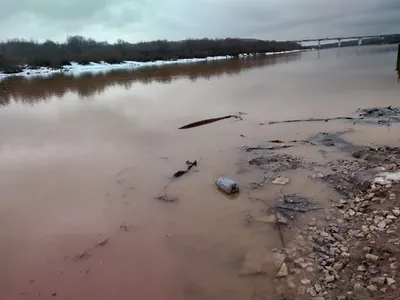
353	251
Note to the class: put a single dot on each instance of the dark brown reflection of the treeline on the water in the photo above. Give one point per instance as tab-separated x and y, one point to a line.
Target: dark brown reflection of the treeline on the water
87	85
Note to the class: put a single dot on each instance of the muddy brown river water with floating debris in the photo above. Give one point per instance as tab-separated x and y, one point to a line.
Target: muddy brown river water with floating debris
81	156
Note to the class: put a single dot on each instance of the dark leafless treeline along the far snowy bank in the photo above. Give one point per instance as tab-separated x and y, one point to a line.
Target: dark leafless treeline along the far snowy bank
14	54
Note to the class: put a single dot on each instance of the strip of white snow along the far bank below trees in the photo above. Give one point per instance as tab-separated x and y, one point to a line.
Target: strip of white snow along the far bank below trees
75	69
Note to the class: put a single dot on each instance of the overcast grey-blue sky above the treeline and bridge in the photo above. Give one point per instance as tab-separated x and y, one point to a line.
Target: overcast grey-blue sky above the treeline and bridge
142	20
